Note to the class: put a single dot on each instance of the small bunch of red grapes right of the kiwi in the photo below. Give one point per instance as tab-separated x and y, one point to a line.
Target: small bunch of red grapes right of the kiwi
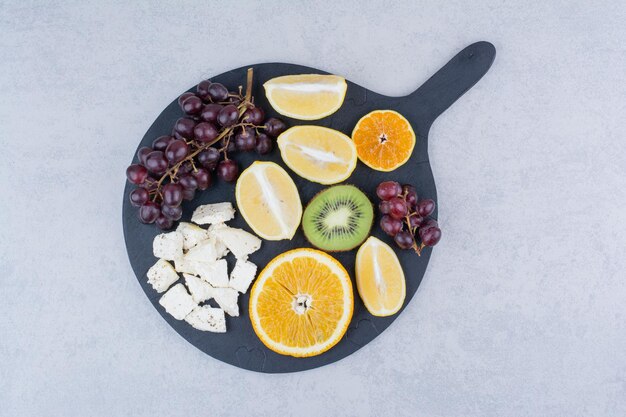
405	217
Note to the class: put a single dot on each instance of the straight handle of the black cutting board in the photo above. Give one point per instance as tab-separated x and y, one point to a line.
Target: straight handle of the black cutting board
450	82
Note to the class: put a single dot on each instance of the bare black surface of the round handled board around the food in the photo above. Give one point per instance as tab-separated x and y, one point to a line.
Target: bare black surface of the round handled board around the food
240	346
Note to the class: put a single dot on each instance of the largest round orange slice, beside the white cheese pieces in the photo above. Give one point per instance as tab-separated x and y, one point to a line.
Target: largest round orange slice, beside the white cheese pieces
301	303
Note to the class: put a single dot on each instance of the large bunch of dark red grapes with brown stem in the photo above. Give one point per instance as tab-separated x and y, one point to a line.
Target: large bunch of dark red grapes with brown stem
216	124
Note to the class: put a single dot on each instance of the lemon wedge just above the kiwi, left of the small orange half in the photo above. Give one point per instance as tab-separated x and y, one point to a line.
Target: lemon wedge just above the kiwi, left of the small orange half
318	153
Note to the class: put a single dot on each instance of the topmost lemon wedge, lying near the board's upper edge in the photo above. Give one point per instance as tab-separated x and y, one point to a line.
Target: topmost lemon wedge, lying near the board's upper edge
306	96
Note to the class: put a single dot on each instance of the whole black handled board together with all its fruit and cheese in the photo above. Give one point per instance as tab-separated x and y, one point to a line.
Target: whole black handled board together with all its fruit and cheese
279	218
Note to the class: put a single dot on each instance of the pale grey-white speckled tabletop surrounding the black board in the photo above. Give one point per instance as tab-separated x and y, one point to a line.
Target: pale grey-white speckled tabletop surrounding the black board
522	311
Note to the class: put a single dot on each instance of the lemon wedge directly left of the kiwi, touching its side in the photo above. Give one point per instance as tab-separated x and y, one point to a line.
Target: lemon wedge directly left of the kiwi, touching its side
269	201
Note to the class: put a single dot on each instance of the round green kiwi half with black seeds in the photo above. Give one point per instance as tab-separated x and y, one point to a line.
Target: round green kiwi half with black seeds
338	218
